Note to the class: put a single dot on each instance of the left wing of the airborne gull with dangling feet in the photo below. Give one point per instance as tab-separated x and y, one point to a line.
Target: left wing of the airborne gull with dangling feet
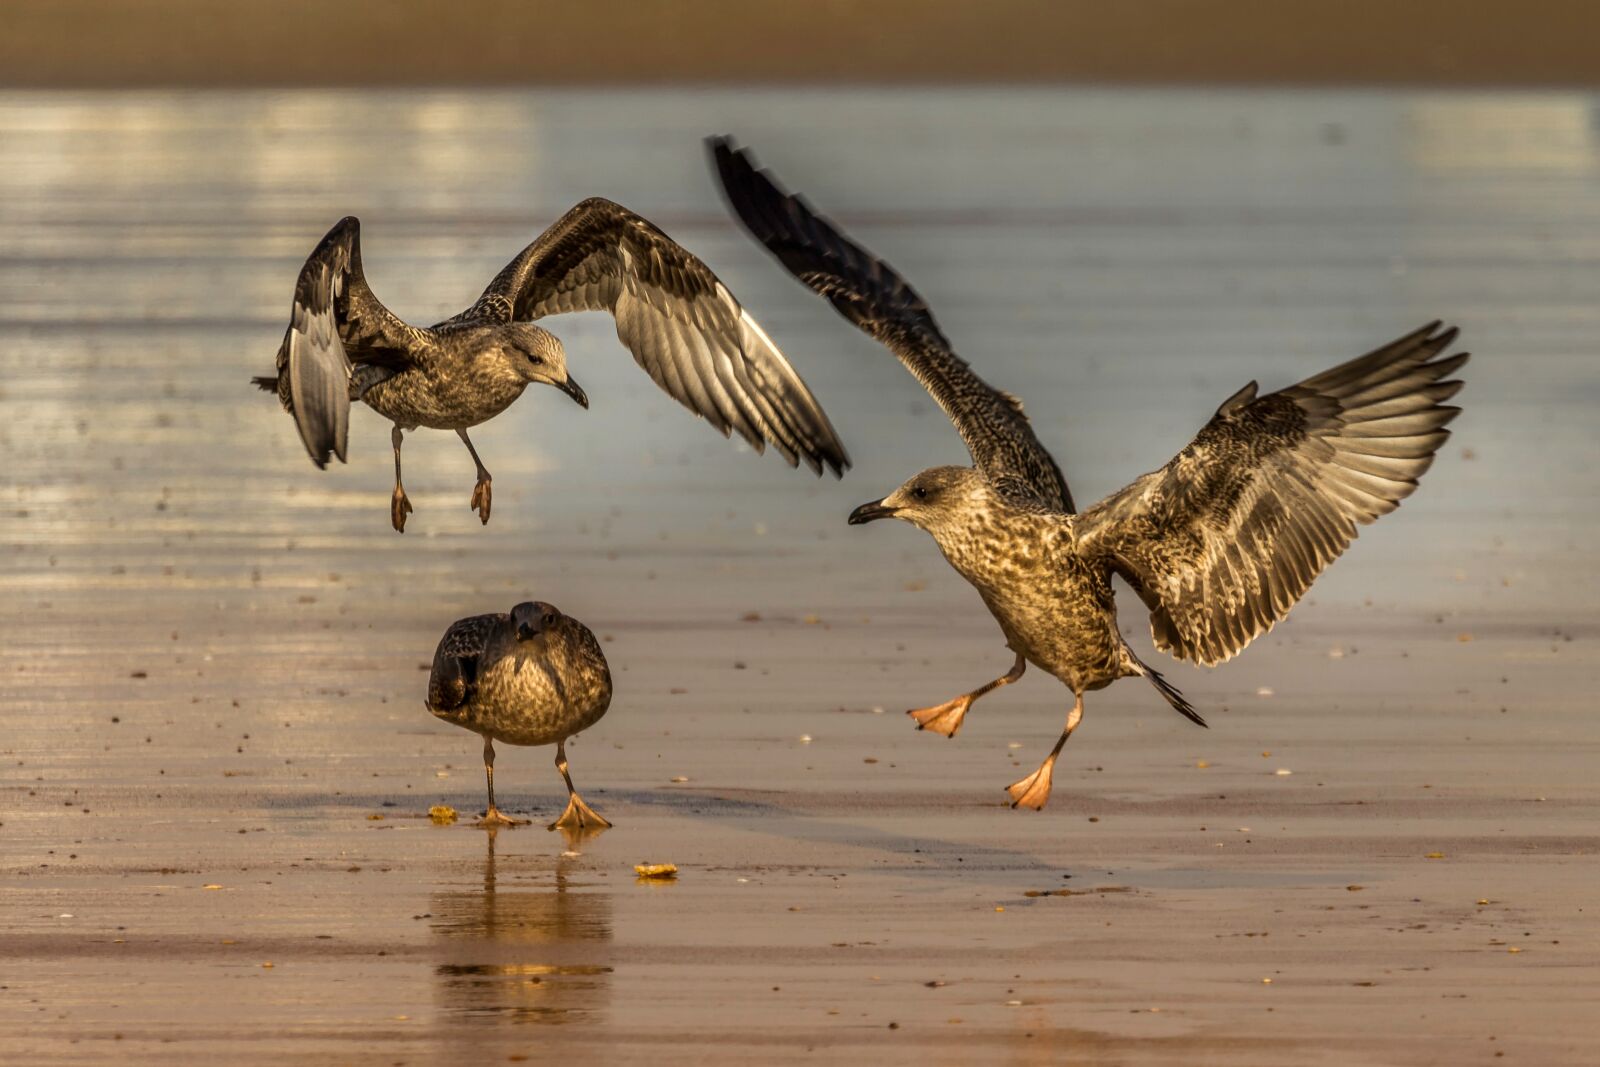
335	321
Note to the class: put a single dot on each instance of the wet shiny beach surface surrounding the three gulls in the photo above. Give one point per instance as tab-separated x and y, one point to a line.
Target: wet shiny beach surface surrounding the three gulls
215	754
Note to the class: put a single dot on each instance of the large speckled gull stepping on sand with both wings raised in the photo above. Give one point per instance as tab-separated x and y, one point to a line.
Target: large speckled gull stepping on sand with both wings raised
1220	543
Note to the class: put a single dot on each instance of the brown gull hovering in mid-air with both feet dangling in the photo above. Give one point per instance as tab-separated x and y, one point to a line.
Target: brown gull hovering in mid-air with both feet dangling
673	314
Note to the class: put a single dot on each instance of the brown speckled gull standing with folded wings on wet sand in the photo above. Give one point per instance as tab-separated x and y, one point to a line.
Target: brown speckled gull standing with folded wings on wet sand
532	677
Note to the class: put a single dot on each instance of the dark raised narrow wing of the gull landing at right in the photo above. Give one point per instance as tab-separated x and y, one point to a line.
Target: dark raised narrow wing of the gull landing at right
870	294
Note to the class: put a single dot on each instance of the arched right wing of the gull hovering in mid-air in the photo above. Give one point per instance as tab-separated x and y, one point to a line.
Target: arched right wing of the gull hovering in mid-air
682	326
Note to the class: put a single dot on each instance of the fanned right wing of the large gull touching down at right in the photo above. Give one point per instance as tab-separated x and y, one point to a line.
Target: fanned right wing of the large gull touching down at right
1223	541
